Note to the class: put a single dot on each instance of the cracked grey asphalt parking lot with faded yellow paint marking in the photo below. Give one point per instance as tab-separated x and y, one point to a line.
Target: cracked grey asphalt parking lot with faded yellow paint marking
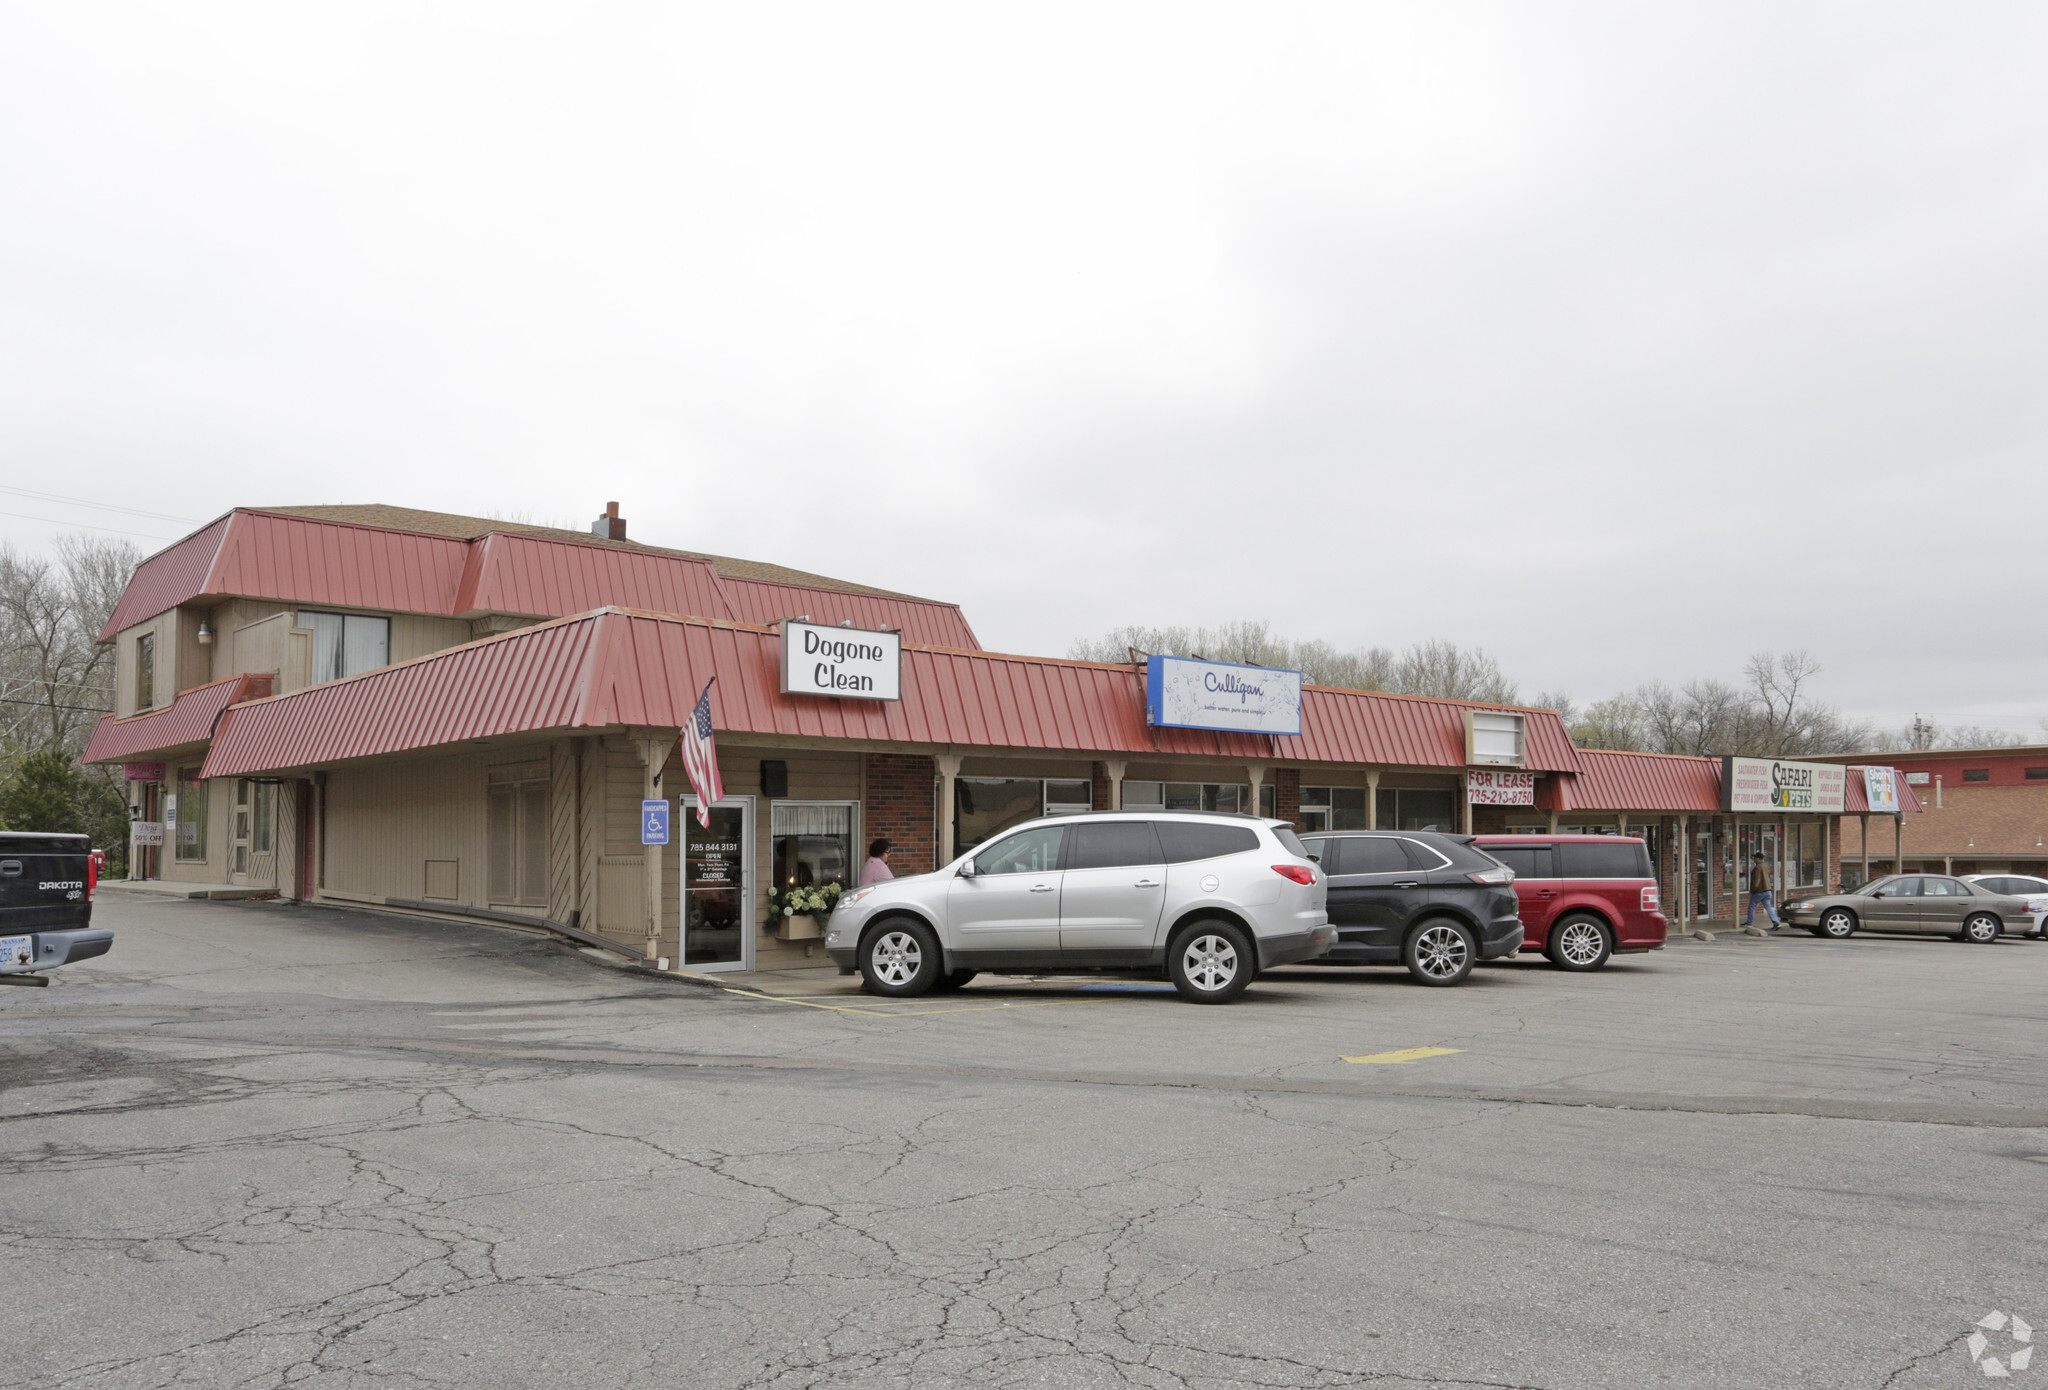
267	1145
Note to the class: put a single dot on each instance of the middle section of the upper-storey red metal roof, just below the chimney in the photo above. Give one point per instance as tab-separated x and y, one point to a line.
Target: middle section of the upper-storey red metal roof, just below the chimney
558	578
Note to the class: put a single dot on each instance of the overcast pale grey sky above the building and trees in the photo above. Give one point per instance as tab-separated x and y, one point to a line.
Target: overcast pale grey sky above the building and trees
1621	341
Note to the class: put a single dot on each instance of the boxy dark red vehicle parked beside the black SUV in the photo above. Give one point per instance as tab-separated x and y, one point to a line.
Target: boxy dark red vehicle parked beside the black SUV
1584	898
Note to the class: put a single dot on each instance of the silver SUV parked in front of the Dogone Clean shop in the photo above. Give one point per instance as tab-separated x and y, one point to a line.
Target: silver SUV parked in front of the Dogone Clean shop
1209	900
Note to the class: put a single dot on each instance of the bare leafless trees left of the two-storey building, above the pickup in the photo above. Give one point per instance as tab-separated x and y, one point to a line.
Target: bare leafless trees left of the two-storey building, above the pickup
56	679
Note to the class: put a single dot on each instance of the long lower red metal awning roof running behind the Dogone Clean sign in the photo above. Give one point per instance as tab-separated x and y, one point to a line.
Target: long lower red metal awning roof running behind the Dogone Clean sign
636	668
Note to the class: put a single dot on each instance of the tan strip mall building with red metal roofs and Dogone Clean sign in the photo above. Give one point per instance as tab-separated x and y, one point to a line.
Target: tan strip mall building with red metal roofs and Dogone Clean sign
456	715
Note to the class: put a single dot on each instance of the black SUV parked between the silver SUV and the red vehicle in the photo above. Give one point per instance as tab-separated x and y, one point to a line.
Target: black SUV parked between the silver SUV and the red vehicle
1433	902
